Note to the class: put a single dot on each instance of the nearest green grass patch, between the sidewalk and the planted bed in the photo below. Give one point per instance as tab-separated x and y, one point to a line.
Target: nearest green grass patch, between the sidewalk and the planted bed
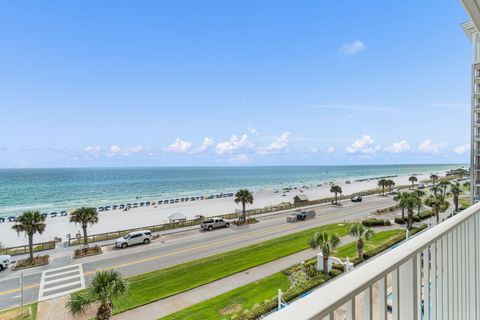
228	304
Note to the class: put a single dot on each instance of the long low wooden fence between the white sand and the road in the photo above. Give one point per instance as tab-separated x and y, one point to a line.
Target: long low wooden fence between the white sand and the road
252	212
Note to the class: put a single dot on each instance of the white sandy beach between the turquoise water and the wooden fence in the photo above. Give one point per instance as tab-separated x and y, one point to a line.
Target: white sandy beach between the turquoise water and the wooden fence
144	216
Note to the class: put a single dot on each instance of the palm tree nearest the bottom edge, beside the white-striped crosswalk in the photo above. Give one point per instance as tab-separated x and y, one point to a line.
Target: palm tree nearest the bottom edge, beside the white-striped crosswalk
104	287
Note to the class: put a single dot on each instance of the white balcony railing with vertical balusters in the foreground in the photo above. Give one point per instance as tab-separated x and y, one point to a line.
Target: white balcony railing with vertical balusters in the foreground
445	259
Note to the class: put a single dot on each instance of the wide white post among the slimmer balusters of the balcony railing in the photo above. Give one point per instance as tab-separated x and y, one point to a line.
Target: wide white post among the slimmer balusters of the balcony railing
407	277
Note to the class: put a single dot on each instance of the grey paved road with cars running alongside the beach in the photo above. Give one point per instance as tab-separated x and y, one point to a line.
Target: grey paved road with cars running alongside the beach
181	247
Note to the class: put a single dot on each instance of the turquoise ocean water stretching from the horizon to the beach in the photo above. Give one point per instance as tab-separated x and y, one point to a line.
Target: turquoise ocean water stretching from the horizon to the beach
63	189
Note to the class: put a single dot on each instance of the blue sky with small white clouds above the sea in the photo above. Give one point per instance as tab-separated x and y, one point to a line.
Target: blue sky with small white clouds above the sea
162	83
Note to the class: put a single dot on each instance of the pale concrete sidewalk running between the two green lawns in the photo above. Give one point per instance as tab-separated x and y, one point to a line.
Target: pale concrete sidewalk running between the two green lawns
164	307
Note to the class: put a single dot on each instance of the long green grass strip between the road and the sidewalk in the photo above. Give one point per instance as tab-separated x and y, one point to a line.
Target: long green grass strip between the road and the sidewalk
159	284
